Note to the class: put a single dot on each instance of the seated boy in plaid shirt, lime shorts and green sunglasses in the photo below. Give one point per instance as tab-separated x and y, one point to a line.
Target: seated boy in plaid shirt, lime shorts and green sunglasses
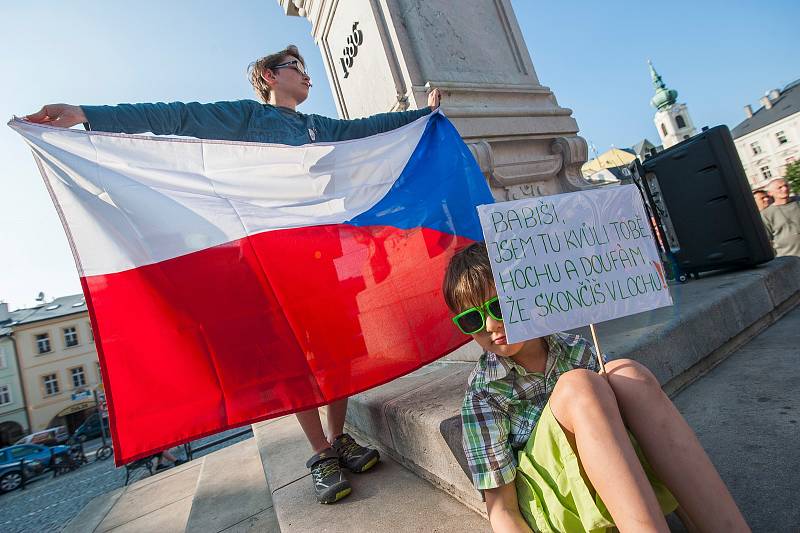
546	436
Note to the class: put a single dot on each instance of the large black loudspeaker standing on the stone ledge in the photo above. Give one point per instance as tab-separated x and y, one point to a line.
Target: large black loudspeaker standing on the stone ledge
698	194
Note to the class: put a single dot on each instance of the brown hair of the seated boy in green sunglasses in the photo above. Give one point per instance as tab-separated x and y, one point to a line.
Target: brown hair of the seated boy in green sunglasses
468	278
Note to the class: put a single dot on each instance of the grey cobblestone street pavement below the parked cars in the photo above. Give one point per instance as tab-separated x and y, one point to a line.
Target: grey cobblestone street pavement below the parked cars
48	503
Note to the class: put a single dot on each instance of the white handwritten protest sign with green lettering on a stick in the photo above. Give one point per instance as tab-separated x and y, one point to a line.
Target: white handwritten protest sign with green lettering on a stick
568	260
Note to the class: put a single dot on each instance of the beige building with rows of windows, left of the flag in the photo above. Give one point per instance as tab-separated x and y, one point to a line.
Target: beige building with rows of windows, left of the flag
58	363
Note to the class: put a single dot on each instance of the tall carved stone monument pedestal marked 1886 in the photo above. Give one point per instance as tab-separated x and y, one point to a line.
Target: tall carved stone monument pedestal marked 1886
384	55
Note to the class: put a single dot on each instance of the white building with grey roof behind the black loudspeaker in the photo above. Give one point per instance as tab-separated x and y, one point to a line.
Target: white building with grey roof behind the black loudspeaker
769	139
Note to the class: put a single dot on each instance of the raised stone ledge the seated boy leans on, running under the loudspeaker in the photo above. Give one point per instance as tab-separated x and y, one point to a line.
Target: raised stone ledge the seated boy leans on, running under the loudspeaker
416	418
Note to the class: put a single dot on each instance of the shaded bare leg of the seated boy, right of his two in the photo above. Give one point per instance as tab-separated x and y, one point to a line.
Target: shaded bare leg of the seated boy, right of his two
672	448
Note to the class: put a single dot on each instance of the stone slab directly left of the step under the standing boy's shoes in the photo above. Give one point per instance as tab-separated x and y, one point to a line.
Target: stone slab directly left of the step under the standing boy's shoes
232	493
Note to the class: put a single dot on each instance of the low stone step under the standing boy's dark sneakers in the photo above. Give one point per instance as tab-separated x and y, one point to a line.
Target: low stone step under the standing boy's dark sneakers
387	498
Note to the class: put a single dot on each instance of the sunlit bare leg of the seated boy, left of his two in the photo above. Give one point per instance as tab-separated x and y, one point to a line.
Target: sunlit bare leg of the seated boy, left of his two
585	406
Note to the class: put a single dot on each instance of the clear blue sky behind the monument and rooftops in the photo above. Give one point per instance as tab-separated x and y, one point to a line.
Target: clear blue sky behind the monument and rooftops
718	55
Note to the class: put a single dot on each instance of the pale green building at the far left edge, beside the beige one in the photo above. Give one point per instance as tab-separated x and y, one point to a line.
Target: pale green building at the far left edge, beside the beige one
13	418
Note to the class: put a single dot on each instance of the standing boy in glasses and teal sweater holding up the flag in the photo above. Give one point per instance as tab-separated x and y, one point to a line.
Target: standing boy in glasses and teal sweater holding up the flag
282	83
